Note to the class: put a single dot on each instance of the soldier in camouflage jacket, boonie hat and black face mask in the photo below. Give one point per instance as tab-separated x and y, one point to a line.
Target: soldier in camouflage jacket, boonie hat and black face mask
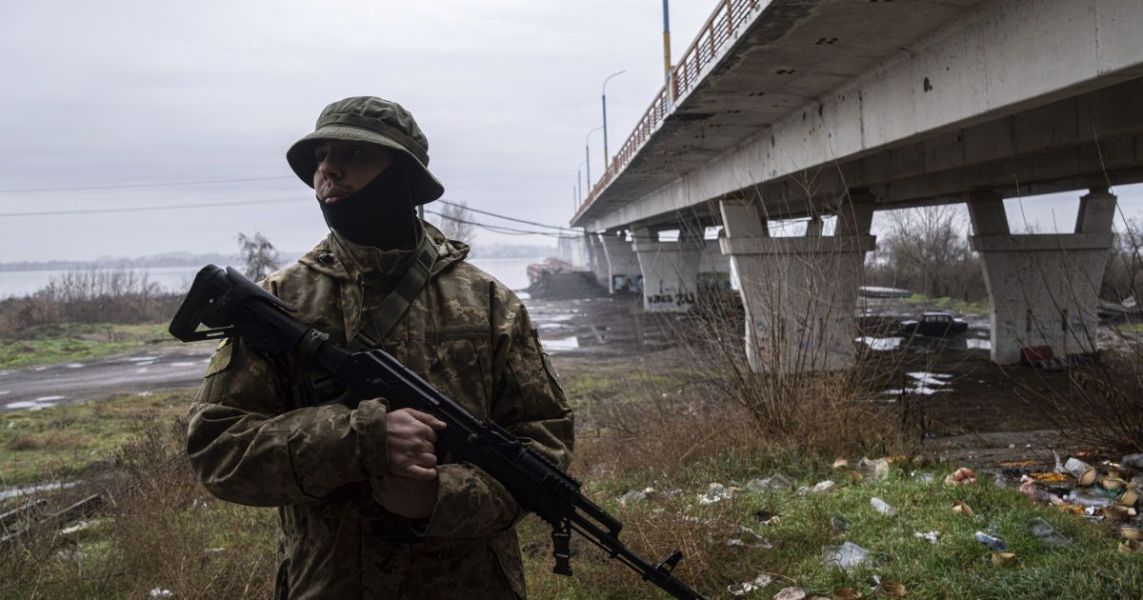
369	507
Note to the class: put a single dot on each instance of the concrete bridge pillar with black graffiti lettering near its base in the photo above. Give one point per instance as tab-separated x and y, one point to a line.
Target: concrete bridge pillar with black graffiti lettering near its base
670	270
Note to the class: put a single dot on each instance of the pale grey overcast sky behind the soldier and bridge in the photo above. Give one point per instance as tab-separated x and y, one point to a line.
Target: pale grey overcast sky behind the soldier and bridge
114	93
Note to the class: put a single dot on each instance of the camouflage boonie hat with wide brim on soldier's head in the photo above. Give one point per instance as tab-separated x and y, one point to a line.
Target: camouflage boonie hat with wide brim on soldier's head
372	121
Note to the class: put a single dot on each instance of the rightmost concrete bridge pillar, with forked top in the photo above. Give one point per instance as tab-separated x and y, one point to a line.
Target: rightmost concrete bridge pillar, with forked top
1045	289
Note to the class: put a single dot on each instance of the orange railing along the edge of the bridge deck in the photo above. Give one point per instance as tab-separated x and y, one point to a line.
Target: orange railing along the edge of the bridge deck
713	39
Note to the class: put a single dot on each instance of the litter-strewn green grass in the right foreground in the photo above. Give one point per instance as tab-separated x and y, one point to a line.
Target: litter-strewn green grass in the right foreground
957	566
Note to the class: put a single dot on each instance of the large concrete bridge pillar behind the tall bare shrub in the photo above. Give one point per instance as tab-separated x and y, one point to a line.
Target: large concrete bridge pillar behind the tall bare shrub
800	293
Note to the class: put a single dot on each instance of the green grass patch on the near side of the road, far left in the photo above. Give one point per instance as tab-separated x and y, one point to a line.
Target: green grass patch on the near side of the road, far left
67	441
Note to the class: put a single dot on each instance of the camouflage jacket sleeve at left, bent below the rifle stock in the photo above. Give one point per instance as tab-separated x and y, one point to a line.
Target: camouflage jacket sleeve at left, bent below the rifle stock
247	446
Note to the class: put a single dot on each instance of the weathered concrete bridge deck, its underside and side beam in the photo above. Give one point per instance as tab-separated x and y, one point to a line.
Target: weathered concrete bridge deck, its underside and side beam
917	102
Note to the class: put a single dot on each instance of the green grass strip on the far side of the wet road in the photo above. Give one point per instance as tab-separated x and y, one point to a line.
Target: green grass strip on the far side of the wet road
74	342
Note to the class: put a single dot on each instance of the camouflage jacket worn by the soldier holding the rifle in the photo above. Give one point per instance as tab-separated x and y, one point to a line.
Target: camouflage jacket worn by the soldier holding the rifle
255	437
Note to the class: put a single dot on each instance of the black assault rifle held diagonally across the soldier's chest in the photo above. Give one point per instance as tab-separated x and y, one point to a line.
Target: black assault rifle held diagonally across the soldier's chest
231	306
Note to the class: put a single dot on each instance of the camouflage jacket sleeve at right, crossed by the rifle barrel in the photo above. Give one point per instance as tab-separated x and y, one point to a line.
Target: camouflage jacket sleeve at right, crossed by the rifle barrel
530	403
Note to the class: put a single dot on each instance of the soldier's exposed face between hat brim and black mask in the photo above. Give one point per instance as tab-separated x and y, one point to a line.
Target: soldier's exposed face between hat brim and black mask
346	167
